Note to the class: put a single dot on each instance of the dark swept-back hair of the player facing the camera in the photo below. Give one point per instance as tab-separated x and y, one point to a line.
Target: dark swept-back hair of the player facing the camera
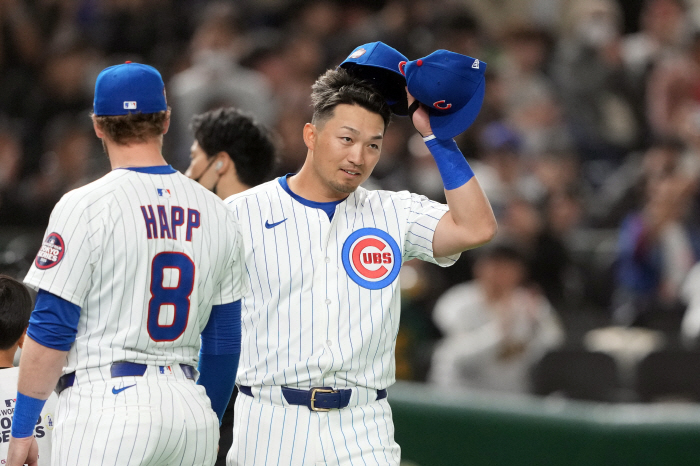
336	87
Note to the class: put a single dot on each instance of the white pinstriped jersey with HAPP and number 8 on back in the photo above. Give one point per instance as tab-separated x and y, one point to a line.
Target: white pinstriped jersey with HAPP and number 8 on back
145	256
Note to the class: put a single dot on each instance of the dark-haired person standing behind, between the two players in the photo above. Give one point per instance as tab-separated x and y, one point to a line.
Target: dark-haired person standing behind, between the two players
231	153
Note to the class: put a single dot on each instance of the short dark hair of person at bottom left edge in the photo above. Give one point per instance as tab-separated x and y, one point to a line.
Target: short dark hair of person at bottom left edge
15	309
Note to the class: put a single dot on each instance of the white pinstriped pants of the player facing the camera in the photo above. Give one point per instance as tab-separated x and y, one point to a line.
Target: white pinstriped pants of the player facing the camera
272	433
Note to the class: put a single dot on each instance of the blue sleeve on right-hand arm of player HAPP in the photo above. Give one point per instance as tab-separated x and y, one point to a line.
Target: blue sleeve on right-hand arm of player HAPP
218	357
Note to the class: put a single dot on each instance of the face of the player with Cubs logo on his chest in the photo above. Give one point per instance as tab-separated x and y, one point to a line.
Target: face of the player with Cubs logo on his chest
347	147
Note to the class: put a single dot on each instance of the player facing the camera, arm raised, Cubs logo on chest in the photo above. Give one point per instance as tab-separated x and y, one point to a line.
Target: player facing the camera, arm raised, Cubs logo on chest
323	254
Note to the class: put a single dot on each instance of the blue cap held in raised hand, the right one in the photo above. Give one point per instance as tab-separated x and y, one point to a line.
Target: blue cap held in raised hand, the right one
452	86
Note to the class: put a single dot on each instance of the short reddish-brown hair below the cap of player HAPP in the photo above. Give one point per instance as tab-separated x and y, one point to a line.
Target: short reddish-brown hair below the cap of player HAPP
134	127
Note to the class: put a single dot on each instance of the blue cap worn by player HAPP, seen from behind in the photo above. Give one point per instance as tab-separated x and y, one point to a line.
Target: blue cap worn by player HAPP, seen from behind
129	88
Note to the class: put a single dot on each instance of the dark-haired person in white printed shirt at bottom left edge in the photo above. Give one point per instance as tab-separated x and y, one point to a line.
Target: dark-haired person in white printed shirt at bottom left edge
15	307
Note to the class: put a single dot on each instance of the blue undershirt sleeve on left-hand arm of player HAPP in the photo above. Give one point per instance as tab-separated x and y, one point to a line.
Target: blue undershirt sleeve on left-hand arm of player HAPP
54	321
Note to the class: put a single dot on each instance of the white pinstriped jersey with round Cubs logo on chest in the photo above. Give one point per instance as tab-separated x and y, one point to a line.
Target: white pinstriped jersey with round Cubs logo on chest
324	300
